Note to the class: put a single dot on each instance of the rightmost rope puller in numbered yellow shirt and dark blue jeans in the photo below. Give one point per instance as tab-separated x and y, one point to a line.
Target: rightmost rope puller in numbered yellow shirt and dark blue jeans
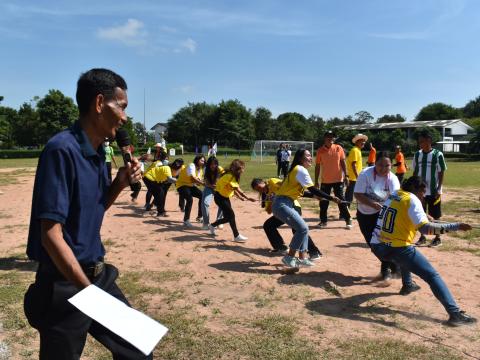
402	215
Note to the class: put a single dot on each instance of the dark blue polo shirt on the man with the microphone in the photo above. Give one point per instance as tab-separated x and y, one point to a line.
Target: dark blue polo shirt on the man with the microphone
71	186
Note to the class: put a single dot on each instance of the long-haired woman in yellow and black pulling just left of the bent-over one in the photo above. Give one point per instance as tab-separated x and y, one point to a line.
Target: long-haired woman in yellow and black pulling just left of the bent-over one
226	187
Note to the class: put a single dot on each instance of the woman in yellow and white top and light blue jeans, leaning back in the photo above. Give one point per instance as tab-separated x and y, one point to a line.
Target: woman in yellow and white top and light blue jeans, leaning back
297	181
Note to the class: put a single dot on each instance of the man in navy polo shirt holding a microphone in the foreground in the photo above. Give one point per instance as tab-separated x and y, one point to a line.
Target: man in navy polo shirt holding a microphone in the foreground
72	191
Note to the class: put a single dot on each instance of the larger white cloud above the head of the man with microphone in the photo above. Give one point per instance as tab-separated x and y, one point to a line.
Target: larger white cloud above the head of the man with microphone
132	33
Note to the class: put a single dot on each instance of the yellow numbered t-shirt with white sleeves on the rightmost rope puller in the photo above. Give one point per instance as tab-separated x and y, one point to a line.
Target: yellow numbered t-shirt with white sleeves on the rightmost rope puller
400	218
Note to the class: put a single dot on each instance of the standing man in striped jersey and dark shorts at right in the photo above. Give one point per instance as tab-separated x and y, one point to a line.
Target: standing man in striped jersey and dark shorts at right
429	164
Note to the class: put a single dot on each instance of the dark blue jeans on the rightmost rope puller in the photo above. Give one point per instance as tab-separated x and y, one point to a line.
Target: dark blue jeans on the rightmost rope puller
410	261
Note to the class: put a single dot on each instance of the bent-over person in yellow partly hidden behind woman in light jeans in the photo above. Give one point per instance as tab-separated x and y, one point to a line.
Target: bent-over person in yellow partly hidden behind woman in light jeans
267	189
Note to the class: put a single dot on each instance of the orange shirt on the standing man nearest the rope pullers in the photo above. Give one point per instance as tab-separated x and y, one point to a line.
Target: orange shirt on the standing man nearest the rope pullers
329	159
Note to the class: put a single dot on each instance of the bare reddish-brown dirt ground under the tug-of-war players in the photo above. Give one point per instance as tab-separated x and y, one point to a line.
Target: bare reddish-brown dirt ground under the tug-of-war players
341	293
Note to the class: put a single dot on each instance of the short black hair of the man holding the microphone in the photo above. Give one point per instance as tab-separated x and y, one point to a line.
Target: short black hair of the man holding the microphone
94	82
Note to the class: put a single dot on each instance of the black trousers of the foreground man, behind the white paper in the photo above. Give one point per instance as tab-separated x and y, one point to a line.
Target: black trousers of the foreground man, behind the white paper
63	328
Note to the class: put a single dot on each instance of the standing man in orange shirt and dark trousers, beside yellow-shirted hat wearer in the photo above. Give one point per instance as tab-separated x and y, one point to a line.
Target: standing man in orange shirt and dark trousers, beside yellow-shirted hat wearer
330	160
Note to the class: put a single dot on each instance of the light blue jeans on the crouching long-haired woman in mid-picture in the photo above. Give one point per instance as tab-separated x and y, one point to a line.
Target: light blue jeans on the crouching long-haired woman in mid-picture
284	210
